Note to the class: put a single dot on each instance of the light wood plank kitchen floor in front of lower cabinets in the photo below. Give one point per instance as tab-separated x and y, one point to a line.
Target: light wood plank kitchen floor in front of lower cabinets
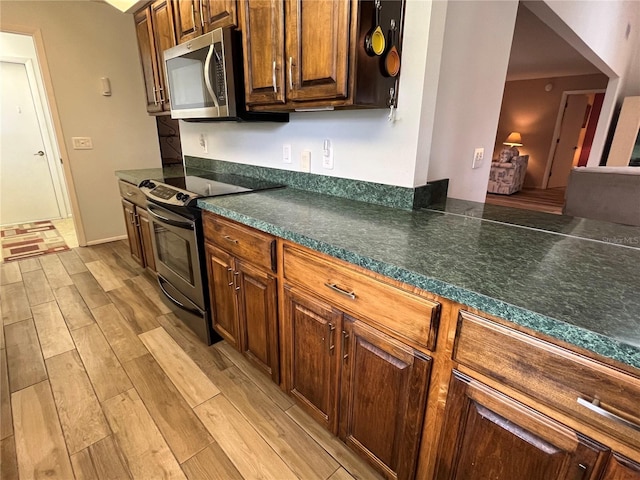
99	380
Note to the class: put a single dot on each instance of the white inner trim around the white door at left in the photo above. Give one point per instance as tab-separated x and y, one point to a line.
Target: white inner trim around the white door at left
51	151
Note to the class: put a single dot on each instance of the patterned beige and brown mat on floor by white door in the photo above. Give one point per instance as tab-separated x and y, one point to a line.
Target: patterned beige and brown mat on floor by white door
31	239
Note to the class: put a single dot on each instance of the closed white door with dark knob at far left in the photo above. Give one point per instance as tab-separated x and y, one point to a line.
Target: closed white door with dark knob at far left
27	190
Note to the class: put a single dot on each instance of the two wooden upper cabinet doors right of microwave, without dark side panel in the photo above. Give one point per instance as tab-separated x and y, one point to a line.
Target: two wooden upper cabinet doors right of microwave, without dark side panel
295	51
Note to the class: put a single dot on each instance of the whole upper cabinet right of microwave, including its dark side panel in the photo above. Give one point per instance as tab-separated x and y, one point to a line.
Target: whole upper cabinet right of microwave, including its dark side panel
311	54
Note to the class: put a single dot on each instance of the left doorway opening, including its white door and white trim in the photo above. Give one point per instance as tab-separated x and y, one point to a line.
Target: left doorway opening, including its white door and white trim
33	183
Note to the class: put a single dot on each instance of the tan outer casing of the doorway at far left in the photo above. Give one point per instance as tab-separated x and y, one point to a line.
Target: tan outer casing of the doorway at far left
54	120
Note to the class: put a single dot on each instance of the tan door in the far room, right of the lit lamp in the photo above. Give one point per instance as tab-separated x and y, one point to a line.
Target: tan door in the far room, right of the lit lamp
572	121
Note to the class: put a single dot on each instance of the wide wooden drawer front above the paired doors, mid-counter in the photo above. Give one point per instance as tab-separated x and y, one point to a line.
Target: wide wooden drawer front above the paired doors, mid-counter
408	315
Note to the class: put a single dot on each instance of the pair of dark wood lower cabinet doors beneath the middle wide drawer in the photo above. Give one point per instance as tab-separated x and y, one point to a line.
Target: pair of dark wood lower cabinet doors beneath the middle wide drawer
380	383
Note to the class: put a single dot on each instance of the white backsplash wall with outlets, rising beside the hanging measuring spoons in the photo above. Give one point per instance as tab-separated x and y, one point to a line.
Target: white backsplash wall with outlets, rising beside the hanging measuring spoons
366	146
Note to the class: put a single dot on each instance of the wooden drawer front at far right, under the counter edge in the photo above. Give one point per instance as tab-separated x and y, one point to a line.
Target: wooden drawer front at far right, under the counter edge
552	375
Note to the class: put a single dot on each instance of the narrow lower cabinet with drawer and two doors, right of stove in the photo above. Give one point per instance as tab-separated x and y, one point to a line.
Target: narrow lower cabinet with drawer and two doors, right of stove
243	290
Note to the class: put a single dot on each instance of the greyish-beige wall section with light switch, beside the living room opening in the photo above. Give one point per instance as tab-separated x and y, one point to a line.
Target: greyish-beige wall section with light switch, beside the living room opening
475	56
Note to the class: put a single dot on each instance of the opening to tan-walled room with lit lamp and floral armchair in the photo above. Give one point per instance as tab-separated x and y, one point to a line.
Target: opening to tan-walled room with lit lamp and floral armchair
553	97
